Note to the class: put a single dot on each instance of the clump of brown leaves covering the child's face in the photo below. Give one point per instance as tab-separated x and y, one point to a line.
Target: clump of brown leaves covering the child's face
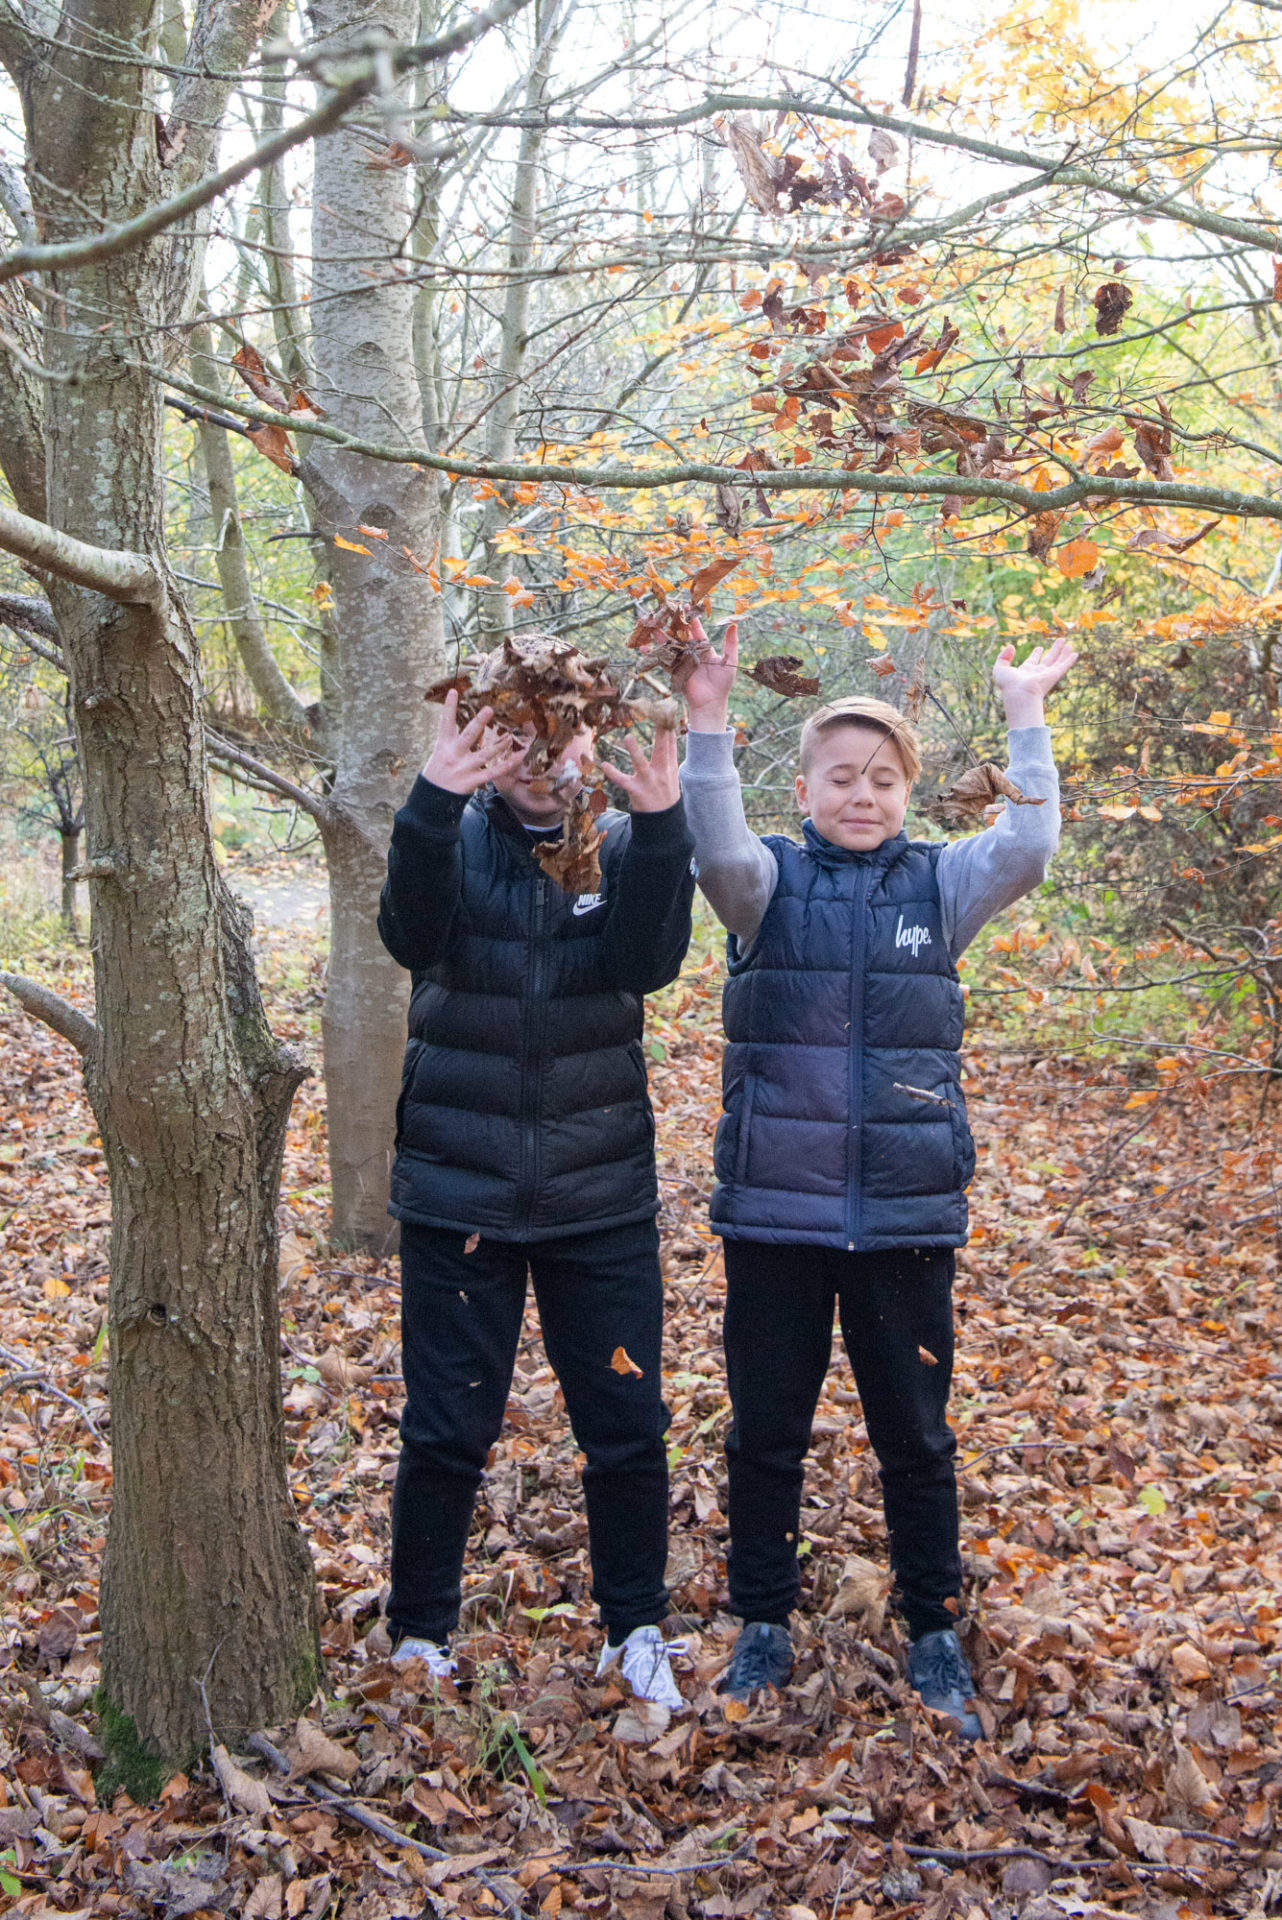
550	690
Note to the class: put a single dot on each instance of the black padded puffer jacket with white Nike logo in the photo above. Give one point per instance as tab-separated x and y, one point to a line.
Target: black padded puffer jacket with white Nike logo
525	1109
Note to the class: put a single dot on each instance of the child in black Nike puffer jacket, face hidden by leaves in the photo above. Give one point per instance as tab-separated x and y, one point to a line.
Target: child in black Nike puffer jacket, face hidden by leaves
527	1147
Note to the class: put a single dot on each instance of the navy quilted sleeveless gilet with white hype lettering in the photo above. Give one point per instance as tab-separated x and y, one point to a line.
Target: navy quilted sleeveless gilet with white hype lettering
845	999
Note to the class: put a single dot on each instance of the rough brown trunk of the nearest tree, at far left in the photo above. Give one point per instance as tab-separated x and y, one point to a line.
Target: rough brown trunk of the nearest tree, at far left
206	1577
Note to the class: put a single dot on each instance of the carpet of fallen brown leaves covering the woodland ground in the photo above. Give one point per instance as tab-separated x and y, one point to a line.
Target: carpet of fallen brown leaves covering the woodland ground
1120	1418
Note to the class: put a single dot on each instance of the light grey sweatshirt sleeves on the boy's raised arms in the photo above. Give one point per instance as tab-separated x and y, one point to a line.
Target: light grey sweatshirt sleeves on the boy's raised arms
978	876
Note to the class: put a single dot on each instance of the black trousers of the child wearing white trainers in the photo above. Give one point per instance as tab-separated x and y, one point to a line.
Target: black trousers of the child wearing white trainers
460	1332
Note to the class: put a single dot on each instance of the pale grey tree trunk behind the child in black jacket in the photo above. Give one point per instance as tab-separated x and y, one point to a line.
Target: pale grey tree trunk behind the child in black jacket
387	621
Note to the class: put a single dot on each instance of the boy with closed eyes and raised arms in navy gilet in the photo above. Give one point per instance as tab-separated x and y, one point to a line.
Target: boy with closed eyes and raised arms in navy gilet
843	1155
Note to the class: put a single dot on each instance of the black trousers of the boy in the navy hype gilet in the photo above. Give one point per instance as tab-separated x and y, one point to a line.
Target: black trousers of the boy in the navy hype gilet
778	1345
